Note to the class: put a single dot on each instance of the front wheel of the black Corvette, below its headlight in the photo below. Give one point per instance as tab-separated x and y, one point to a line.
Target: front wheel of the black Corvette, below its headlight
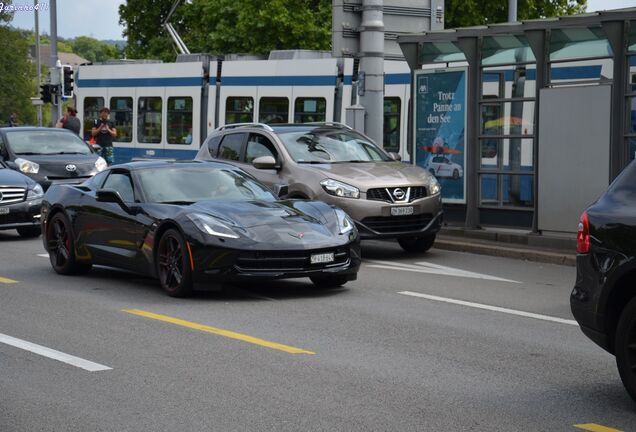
173	268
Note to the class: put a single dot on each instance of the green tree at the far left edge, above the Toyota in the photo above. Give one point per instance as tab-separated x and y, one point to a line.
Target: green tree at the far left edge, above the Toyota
17	85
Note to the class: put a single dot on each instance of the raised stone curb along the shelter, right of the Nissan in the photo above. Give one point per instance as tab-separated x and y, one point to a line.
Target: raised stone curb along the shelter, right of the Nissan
507	252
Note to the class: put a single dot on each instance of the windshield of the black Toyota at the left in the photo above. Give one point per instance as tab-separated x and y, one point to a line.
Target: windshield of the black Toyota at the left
44	142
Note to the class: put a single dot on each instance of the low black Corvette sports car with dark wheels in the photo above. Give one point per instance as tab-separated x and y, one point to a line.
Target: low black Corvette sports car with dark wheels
194	223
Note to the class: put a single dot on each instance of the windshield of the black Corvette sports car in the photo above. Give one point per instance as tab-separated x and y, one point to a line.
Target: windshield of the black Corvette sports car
184	185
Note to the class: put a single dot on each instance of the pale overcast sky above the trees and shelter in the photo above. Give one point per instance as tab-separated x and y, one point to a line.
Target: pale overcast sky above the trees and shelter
100	18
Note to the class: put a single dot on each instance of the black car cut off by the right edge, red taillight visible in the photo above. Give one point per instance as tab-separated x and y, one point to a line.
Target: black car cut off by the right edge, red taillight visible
604	297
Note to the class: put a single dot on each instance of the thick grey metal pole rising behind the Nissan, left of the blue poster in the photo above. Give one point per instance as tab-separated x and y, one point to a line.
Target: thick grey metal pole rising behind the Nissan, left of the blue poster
372	64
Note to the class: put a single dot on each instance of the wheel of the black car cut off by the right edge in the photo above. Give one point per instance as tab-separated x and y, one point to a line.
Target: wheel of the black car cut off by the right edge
625	345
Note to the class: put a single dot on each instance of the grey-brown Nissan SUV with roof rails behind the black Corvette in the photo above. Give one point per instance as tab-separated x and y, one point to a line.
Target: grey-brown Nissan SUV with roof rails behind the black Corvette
333	163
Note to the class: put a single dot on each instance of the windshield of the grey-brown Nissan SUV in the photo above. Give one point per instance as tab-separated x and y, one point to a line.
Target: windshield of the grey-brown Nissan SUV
331	146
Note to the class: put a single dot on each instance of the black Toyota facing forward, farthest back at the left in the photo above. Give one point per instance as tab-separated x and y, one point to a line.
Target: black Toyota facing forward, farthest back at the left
49	155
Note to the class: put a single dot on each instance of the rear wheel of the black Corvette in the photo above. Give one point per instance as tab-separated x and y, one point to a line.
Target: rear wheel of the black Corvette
61	247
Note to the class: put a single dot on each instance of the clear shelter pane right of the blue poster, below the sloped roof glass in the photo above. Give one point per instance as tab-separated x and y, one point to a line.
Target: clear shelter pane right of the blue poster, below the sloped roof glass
505	82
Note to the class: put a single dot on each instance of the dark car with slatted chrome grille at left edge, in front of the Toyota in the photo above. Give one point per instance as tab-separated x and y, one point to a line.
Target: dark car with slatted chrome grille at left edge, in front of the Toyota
20	202
